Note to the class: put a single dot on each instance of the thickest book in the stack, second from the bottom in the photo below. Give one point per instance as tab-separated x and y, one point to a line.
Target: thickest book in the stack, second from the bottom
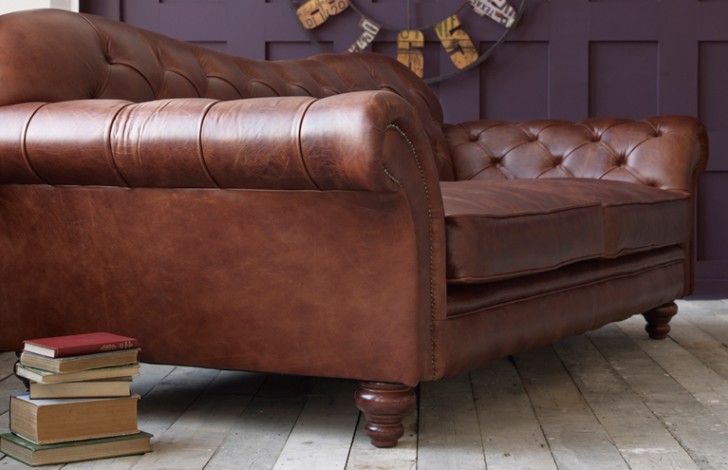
60	420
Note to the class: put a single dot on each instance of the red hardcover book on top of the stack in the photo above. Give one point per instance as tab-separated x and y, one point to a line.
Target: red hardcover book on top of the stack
74	345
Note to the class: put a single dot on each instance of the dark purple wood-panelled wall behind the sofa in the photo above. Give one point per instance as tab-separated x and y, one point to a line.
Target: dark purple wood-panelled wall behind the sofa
567	59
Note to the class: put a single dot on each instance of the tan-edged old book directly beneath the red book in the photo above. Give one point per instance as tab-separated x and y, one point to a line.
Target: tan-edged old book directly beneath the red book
82	362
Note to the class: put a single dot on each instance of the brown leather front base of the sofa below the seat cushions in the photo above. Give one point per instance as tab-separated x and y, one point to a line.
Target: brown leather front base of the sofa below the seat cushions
468	340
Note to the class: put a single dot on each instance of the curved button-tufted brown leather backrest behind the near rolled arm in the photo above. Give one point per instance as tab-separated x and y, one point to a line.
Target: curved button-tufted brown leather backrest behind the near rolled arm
54	55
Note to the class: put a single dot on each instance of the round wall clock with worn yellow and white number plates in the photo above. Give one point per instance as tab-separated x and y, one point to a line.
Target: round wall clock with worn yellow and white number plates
449	30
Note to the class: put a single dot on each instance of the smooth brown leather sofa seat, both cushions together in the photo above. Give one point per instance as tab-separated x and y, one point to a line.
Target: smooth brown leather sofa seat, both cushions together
498	229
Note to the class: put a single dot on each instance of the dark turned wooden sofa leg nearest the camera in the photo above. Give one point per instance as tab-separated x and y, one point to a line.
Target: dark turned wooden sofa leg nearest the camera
385	405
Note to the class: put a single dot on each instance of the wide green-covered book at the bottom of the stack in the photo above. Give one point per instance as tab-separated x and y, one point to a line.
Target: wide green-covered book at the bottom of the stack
34	454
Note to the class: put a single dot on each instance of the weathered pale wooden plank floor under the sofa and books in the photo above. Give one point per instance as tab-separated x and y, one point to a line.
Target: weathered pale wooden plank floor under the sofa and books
610	399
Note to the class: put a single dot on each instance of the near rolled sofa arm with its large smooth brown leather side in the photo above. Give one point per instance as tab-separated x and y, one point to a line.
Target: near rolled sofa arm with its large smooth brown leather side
226	234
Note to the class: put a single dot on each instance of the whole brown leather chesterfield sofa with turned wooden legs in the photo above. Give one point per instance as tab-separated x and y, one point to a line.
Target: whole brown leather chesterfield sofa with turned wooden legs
316	216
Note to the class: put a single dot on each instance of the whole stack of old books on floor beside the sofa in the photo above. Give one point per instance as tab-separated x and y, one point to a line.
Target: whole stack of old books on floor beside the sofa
79	405
